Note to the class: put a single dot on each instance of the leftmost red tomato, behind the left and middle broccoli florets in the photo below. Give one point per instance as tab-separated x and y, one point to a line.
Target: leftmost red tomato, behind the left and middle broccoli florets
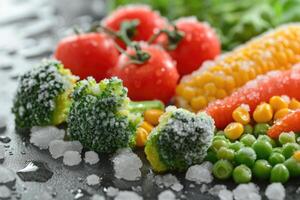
91	54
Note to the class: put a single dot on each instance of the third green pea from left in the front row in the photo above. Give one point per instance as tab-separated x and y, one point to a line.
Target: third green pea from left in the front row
262	169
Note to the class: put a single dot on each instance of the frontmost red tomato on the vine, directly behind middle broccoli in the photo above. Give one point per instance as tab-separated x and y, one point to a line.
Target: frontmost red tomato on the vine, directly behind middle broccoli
154	79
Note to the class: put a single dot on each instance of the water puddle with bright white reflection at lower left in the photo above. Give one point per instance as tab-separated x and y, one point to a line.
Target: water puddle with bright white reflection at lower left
36	171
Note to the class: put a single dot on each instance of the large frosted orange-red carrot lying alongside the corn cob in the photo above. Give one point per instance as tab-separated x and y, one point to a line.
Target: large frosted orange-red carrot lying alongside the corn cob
255	92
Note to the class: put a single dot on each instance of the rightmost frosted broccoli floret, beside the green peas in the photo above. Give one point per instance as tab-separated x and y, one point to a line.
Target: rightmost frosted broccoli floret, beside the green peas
180	140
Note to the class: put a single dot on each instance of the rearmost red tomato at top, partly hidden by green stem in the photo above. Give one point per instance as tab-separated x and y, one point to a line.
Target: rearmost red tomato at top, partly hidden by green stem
149	21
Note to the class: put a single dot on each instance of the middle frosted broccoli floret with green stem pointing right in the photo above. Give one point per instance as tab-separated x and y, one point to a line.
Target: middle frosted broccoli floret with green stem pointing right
102	117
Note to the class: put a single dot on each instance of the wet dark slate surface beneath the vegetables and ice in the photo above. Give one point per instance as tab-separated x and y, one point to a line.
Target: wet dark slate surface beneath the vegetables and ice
28	32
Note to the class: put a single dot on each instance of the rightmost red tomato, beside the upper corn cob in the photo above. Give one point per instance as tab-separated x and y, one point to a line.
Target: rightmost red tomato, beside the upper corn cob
200	43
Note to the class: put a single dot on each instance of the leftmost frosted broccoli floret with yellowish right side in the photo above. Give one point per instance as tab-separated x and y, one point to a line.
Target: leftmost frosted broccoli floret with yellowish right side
42	96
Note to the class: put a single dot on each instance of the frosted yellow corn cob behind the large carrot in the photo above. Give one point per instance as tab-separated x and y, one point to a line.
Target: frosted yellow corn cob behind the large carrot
278	49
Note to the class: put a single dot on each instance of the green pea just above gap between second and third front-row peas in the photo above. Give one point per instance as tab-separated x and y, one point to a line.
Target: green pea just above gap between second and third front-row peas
246	156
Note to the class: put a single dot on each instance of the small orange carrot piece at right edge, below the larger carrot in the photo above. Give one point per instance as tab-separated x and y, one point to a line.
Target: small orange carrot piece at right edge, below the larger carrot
290	122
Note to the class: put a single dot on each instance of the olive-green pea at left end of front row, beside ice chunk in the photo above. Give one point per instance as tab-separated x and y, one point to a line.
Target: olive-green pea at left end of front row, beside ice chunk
222	169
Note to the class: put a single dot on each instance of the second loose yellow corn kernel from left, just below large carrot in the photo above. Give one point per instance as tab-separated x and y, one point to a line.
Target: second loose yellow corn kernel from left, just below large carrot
263	113
